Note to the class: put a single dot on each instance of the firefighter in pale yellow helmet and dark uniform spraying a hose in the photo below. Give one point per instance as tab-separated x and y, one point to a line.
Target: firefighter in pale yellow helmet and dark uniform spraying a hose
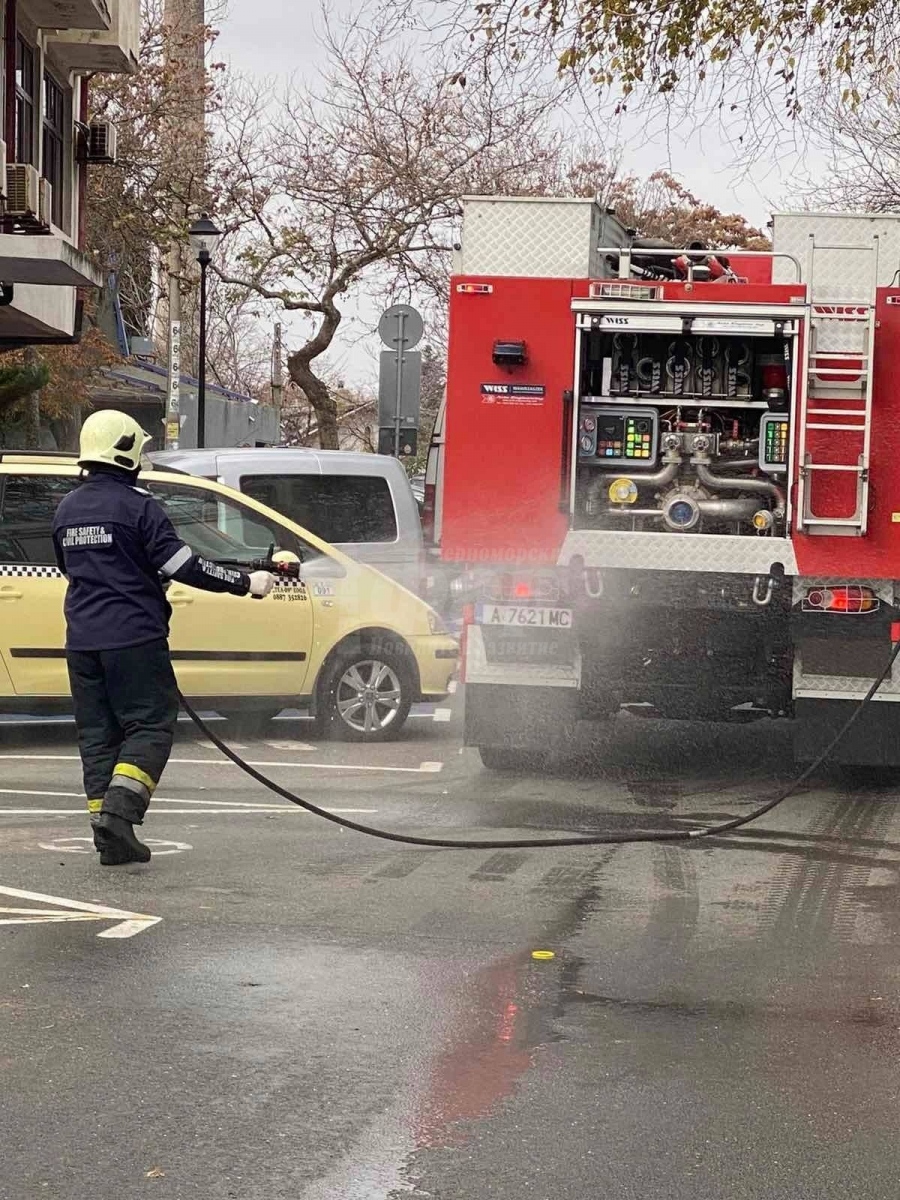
116	547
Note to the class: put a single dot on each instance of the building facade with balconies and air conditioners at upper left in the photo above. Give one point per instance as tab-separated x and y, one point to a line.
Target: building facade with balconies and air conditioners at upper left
50	51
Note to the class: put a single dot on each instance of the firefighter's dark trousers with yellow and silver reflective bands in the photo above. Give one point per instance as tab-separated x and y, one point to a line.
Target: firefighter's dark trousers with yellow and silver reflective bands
127	709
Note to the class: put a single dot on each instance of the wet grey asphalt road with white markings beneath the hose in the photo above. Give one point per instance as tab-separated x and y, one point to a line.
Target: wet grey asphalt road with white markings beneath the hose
323	1017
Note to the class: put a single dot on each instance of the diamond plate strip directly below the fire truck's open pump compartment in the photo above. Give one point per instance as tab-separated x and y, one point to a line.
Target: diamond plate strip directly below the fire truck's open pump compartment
679	553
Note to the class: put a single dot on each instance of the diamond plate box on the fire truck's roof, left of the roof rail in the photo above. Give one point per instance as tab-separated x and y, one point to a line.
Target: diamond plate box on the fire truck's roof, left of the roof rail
527	237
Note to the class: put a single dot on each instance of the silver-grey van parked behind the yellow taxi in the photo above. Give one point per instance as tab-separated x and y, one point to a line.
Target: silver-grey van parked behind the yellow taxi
361	503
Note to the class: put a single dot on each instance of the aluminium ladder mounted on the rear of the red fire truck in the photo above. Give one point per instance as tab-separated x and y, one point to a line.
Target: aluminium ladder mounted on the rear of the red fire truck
838	398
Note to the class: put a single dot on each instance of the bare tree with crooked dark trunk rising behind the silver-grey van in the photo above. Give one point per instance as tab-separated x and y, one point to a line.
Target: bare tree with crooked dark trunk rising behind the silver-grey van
362	177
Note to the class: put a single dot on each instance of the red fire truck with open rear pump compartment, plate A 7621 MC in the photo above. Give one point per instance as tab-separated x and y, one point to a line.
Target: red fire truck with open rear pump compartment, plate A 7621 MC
670	479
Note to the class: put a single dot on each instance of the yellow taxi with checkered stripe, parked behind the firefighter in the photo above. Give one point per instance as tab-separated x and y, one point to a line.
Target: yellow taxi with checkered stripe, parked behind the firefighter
345	643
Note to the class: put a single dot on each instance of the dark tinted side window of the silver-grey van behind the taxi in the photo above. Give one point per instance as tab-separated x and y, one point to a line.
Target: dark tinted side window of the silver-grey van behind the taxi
335	508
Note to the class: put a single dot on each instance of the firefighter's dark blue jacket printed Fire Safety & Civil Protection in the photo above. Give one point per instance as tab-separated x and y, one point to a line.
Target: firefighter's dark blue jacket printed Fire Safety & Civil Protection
117	547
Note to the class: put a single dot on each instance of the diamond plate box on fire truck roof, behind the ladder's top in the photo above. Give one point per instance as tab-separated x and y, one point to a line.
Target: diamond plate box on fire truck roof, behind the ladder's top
839	275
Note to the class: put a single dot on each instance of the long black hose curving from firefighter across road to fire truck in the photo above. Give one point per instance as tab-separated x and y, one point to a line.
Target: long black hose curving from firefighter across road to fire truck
679	836
